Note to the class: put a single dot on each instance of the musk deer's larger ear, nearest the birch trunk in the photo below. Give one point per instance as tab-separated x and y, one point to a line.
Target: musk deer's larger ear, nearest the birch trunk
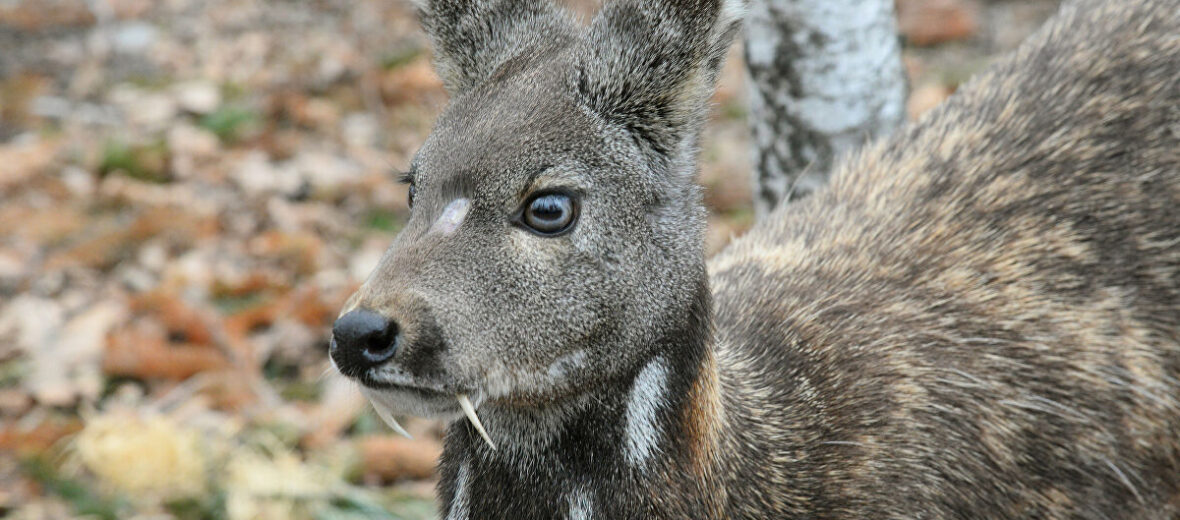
651	65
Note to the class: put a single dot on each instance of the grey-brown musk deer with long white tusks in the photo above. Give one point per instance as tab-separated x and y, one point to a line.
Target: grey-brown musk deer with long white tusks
980	318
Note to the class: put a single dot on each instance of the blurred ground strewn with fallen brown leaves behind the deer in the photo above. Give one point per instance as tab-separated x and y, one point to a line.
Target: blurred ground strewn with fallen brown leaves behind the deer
191	189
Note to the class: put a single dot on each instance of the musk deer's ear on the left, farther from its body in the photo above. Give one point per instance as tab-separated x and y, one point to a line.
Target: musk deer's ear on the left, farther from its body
474	38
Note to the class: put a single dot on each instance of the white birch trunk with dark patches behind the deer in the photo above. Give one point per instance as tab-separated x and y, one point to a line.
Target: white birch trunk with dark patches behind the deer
825	76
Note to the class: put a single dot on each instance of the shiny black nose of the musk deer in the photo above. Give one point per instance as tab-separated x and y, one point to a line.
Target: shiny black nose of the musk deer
363	340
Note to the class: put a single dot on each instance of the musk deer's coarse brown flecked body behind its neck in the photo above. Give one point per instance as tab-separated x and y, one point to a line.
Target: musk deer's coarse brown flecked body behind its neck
982	314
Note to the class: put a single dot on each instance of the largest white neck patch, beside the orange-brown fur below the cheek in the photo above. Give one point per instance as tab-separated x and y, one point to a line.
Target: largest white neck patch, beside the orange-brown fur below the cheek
647	396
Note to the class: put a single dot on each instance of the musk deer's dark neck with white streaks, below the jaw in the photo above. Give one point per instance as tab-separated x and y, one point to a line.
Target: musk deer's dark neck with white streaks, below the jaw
645	446
